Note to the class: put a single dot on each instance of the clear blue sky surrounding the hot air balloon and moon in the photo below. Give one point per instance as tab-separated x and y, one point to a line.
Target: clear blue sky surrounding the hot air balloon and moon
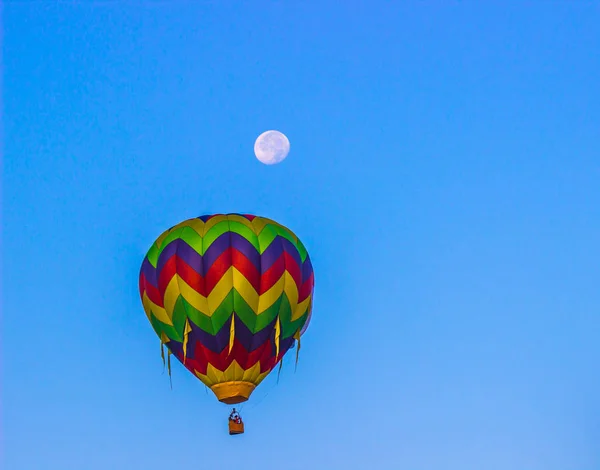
444	175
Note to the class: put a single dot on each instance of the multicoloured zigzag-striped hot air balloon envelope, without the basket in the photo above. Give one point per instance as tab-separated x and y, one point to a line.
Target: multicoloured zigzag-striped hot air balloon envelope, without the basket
228	294
